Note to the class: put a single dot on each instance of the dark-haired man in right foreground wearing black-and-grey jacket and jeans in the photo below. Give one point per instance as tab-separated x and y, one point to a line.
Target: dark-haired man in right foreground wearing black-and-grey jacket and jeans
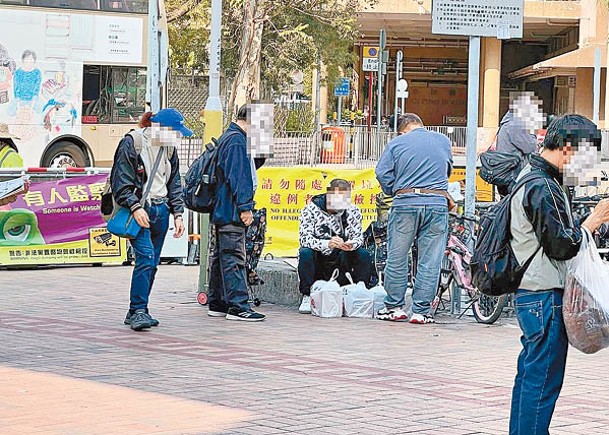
542	228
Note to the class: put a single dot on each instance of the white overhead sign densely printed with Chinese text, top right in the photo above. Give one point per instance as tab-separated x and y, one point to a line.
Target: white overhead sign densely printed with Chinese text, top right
502	19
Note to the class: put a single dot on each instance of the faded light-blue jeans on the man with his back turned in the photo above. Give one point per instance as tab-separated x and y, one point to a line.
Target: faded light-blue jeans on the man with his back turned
429	225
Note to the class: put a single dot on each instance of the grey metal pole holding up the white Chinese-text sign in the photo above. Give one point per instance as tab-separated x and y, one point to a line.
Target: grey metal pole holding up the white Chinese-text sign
473	88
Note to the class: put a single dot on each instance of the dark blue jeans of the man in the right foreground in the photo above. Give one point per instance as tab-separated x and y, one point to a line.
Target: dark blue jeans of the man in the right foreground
541	364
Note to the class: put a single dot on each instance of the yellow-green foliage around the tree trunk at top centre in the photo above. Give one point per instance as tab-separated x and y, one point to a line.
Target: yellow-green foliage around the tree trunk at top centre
296	34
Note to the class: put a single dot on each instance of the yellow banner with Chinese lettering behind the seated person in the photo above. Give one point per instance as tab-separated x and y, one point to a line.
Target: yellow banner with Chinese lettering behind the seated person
285	191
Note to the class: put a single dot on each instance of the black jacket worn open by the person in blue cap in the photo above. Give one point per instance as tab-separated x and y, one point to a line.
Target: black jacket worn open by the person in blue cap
128	177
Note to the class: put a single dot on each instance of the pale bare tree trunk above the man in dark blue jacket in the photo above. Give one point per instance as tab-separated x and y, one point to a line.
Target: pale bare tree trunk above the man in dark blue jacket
246	84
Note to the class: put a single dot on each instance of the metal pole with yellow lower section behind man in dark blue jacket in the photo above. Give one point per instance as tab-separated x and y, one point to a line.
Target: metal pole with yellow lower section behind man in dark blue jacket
213	122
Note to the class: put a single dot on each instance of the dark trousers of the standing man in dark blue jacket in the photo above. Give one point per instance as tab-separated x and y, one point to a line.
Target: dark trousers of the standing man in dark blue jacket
227	276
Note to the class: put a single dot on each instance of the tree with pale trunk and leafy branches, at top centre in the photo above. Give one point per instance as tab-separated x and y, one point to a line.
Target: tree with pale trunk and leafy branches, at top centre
280	37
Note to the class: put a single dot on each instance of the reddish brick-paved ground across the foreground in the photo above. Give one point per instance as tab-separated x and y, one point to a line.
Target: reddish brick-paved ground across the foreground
69	366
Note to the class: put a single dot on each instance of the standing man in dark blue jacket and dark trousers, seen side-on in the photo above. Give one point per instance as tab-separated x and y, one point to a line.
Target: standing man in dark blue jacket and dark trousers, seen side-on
233	213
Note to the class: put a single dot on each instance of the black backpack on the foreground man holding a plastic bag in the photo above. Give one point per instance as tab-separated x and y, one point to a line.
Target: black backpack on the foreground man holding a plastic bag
495	269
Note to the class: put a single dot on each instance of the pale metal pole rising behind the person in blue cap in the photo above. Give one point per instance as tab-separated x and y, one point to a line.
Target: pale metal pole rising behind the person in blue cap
153	92
